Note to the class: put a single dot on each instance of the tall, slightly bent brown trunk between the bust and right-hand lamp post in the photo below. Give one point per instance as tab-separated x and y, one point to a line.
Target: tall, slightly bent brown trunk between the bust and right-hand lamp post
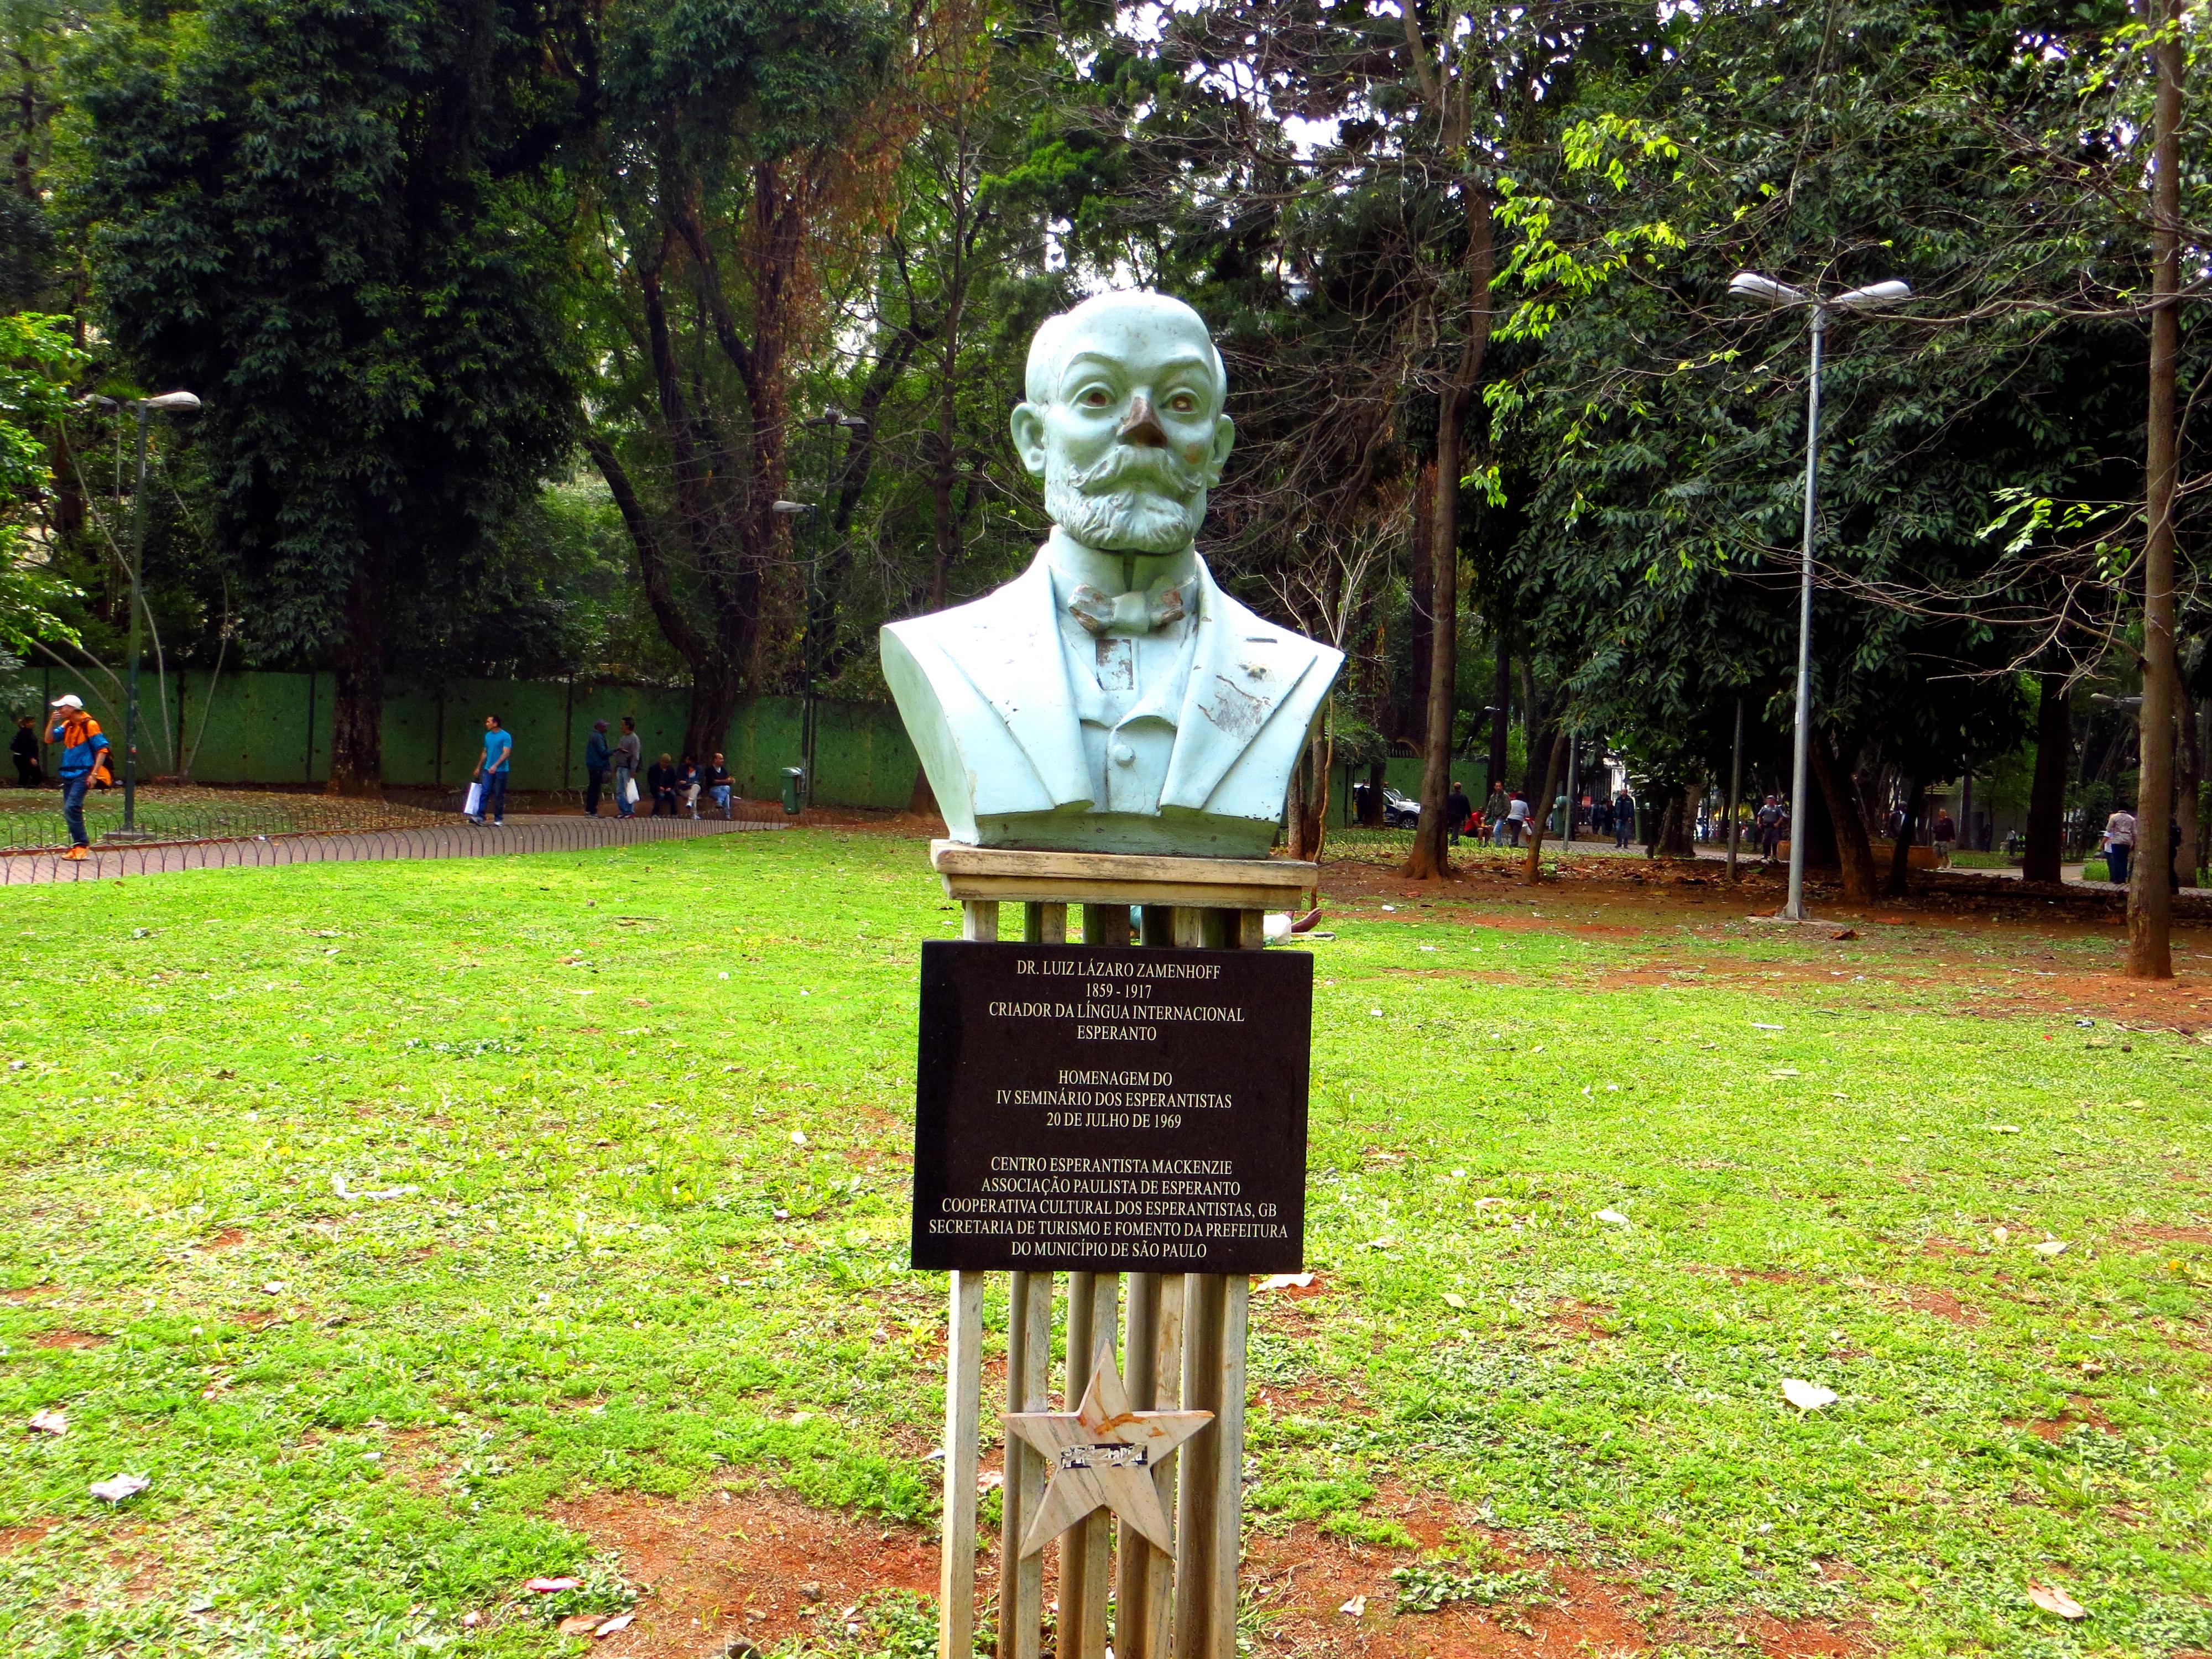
1430	839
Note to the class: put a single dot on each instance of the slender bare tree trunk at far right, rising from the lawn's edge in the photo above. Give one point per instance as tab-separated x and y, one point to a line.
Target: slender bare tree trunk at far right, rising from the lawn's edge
2151	904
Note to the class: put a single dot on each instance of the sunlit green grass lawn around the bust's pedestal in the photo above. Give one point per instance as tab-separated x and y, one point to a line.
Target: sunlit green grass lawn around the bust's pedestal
589	1171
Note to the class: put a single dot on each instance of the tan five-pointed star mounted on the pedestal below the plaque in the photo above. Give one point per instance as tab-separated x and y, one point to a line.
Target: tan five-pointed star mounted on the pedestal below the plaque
1103	1457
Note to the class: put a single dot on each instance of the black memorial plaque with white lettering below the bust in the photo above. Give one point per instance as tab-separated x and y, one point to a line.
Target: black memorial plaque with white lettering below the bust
1112	1109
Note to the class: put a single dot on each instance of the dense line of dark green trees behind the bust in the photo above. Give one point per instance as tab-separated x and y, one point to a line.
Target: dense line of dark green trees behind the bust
678	340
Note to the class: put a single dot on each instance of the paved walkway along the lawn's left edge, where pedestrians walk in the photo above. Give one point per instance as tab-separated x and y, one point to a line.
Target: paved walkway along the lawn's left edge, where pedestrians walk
366	846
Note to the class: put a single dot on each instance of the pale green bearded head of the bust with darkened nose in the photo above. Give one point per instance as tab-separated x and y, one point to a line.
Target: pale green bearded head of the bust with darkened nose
1125	421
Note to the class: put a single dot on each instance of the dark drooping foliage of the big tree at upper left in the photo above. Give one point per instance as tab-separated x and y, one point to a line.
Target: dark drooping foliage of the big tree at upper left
326	220
